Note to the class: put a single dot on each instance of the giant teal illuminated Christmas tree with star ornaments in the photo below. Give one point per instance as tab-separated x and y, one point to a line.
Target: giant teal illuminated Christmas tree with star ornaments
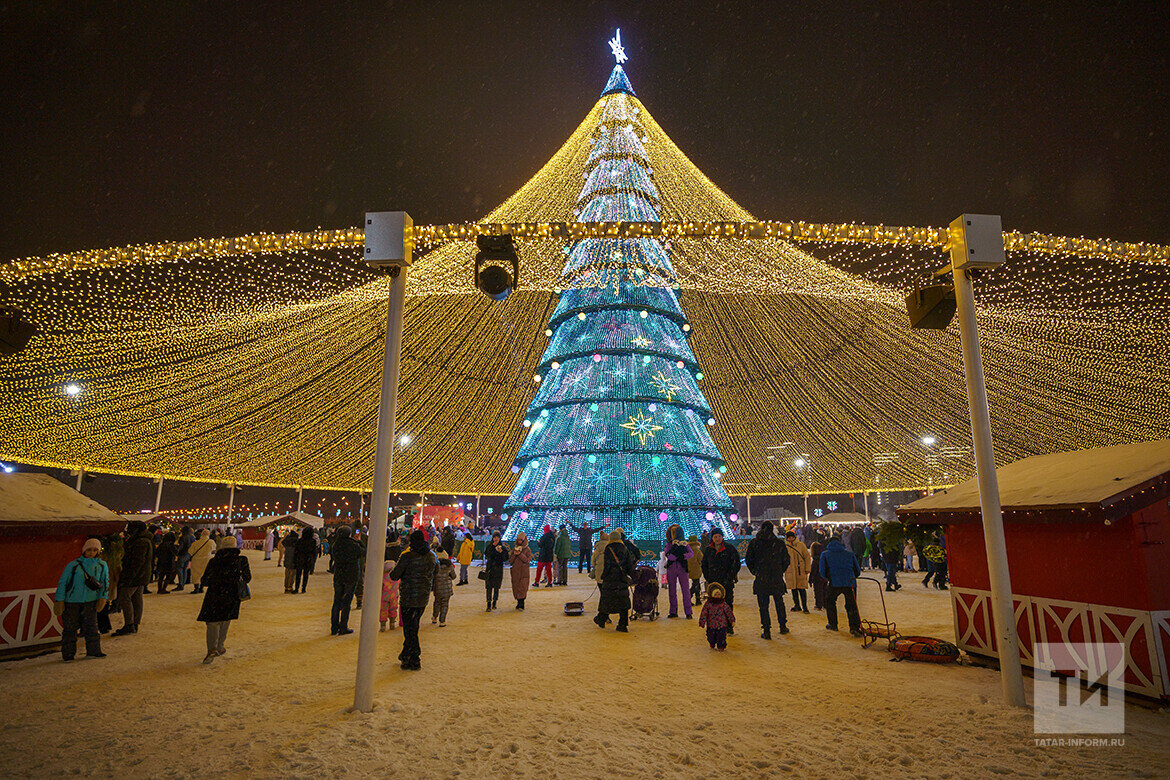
618	430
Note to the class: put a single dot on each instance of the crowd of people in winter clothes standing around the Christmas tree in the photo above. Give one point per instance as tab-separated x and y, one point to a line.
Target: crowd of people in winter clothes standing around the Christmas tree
115	574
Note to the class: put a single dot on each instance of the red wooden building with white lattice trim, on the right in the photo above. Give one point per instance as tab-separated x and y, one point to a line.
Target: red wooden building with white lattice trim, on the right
1089	548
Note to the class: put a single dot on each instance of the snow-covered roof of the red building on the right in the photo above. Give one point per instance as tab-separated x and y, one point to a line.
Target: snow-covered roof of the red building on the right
1085	477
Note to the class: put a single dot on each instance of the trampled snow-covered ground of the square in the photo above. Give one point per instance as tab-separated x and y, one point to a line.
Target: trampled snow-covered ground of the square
531	694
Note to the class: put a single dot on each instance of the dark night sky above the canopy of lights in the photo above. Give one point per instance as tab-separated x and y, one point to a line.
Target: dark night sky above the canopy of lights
150	122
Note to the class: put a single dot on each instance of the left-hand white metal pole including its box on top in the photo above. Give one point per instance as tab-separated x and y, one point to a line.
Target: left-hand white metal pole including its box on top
389	238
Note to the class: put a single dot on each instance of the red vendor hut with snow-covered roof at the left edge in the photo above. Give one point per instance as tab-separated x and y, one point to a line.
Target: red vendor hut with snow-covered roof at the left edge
44	524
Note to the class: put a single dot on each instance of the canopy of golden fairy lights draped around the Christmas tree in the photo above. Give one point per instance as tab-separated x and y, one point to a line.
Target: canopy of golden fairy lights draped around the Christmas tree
257	360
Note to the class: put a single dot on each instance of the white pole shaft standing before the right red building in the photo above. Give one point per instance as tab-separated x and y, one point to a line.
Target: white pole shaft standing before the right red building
1003	609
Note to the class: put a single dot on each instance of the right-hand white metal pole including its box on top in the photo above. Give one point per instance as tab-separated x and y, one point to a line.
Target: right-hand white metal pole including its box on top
978	241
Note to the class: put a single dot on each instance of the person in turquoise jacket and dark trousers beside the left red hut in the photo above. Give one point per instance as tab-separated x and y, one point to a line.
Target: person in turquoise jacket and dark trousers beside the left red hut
82	592
